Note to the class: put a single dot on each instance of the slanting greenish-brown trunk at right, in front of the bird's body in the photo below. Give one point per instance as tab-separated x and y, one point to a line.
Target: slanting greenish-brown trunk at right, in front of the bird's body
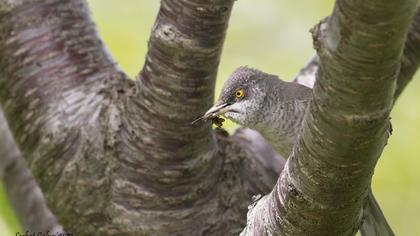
327	177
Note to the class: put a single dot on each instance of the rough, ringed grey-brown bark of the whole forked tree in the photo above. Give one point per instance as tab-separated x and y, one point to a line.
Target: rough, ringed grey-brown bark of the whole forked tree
115	157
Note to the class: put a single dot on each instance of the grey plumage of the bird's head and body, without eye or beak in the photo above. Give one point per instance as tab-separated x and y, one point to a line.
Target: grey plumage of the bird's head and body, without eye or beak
273	107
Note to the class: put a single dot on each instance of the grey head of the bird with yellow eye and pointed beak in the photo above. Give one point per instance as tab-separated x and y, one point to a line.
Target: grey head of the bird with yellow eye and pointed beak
242	97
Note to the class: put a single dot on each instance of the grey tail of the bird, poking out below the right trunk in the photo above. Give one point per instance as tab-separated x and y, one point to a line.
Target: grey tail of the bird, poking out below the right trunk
374	223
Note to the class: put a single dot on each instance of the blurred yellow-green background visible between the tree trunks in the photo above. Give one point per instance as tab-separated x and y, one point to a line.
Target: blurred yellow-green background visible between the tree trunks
272	35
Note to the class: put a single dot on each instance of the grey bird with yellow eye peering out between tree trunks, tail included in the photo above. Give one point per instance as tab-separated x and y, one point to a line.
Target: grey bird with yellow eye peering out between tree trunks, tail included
276	109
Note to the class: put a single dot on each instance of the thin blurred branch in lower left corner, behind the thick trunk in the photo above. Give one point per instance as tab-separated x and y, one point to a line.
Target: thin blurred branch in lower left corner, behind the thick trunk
22	190
